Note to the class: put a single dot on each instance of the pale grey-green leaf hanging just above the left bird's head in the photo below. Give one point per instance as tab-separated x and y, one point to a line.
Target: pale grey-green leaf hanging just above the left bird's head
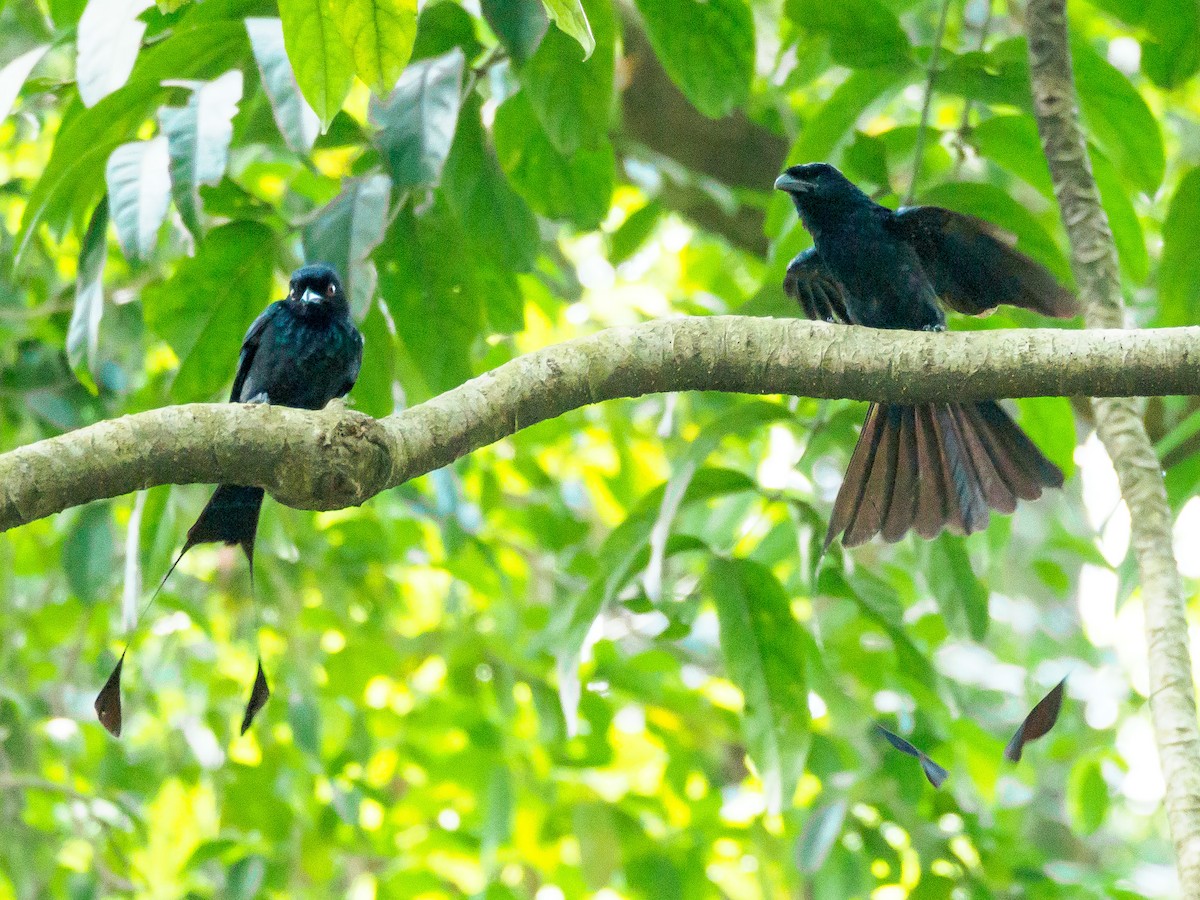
347	231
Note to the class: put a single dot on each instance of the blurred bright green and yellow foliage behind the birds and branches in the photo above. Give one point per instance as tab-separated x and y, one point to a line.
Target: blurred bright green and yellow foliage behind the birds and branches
598	657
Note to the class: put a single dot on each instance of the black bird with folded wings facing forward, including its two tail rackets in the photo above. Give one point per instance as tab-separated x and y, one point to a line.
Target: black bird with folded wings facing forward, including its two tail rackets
302	352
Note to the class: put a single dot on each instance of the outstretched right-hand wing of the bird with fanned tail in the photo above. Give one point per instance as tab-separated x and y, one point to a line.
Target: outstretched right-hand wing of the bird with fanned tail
974	269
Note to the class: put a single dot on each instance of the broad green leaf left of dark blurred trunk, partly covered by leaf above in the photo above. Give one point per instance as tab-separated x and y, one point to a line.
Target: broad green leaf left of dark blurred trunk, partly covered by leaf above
578	188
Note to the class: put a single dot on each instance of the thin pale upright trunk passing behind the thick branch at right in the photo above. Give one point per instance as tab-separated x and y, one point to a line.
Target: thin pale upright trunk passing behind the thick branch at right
1121	429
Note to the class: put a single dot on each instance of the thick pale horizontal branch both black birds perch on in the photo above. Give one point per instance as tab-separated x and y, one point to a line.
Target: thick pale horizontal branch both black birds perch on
337	458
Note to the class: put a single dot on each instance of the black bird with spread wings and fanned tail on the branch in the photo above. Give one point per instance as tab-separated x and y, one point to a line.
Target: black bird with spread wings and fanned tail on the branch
933	465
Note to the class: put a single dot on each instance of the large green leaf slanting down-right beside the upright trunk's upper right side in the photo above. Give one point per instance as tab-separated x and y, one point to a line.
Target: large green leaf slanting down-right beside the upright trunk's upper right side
1119	119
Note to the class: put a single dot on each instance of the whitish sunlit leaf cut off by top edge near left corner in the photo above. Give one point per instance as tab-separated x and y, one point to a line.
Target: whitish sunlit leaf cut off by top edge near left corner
107	45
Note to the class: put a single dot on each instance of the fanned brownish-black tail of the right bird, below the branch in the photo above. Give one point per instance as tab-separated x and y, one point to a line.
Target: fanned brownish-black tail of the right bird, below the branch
937	466
